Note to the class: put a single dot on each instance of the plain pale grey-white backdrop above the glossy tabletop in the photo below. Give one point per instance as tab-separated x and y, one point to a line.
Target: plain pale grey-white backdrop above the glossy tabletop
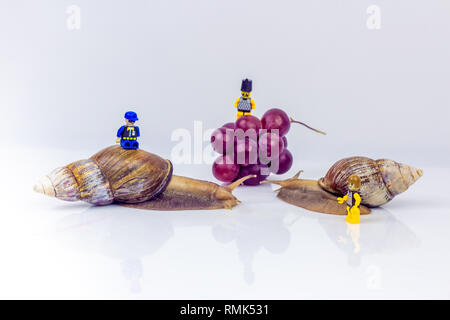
373	74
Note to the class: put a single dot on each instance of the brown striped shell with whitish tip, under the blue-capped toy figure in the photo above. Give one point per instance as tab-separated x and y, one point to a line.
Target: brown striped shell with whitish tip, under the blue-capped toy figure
113	174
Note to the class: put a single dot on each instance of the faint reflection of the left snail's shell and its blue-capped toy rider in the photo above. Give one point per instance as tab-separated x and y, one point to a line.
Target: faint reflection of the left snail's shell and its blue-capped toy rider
119	234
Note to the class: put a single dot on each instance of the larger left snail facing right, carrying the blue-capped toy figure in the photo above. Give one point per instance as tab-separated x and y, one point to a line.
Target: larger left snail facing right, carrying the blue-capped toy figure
135	178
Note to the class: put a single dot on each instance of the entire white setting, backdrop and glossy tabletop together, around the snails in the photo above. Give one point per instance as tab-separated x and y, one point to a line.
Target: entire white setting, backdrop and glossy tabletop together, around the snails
378	93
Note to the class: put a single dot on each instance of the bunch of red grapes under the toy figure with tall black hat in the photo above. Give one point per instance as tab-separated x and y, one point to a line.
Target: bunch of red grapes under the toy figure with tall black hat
251	146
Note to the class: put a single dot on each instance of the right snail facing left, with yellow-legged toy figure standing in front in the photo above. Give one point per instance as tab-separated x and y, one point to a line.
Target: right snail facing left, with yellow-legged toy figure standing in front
381	181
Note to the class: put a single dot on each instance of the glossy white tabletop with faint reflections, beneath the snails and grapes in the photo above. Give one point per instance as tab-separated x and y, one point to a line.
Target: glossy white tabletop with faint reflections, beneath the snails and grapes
263	248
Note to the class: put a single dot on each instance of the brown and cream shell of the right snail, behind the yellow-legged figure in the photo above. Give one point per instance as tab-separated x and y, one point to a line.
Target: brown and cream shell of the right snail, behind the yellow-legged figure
381	180
